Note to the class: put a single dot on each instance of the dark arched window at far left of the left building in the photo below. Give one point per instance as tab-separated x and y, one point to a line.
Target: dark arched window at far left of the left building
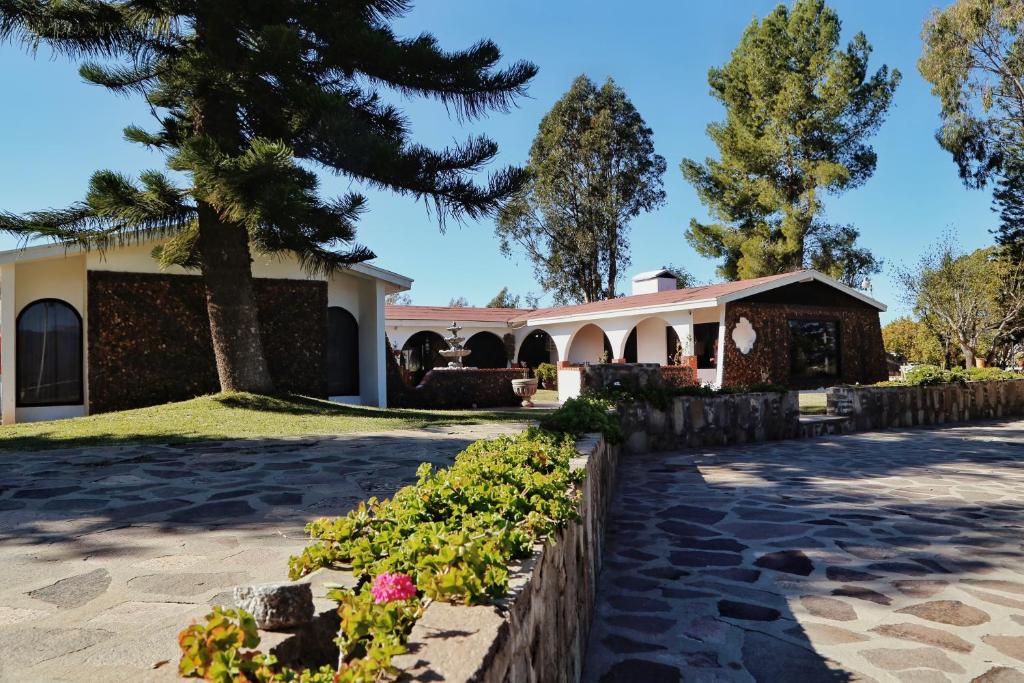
50	355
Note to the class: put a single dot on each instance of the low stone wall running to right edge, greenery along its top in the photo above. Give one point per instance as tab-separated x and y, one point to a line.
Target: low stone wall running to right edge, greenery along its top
882	408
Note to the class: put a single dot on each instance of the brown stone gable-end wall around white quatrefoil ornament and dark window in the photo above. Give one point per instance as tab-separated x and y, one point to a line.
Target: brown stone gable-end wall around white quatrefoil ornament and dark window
863	357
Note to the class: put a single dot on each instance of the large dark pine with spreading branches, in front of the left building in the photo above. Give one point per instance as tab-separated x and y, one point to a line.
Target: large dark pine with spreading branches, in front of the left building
244	93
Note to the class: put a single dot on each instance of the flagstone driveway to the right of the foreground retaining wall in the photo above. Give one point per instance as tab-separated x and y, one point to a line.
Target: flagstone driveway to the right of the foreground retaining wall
892	557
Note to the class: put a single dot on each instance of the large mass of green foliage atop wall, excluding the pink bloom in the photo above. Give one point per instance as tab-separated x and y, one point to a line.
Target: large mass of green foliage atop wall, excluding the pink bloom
456	530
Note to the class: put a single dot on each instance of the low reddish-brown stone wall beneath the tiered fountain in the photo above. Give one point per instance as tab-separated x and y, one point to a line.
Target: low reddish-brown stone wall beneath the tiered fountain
453	389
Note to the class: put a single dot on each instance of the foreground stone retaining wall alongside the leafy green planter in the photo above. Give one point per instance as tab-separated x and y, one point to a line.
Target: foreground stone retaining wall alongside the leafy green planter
539	632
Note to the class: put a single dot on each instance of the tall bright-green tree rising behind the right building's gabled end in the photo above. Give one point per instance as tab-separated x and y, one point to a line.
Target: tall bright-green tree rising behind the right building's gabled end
799	112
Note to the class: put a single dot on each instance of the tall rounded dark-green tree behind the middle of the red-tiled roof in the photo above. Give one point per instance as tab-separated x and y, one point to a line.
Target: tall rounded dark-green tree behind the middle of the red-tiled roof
593	169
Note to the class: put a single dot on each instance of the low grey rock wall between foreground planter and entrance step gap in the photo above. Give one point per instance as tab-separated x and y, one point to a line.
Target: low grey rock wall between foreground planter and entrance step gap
704	421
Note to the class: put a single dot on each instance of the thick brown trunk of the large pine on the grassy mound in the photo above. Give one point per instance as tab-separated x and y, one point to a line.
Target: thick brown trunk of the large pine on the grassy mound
231	304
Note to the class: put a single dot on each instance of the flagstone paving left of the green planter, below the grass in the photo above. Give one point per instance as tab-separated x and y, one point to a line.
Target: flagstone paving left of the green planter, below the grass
107	553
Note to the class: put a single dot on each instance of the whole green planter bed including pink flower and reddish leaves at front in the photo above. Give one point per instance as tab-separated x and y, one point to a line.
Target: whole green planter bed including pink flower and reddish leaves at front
450	537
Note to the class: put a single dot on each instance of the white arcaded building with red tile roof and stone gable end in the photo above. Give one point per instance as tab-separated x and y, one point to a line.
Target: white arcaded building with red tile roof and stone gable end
711	327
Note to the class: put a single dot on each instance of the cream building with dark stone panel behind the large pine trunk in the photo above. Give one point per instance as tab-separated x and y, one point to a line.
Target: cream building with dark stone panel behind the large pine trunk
81	331
